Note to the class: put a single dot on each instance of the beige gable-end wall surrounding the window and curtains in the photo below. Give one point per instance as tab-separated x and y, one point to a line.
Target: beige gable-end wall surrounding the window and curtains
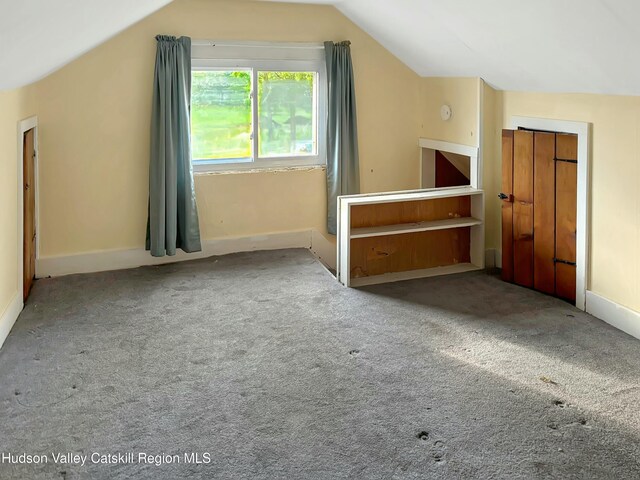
94	118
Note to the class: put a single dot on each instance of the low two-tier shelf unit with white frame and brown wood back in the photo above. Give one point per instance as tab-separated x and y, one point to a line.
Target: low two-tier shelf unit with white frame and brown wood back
393	236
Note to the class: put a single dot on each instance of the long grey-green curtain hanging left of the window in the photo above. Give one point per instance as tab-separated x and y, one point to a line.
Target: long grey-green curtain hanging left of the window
173	215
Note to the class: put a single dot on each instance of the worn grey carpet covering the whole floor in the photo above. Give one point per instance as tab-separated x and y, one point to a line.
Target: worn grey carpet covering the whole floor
264	364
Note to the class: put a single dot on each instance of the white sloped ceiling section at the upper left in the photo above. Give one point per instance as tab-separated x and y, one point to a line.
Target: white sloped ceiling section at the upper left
39	36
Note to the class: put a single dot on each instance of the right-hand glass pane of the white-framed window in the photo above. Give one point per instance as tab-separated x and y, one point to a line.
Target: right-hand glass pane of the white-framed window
287	117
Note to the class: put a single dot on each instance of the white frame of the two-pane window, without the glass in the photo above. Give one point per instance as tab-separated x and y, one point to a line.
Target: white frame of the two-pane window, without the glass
253	56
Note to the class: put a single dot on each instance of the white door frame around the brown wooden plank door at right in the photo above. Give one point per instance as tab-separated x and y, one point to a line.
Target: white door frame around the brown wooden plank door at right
583	130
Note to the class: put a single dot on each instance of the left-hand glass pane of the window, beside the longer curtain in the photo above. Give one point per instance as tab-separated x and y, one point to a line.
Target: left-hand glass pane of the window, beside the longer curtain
220	115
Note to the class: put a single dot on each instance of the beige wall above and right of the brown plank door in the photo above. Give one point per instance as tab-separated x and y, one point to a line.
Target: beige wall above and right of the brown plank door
615	181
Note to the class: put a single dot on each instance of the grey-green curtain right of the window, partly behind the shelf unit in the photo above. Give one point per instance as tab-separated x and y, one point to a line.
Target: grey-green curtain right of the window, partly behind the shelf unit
343	177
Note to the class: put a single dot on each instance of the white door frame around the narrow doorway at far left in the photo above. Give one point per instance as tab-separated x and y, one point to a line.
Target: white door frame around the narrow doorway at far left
25	126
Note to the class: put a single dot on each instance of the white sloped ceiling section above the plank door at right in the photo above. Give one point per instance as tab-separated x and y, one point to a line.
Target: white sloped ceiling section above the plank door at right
534	45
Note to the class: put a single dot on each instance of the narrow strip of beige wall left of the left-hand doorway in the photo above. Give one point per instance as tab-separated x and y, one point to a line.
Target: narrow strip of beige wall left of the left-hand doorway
15	105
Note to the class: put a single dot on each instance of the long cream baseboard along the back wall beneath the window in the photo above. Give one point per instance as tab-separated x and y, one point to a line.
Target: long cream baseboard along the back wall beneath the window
121	259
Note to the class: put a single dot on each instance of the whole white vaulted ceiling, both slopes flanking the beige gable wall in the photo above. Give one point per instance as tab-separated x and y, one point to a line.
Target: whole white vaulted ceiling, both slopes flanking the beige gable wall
537	45
